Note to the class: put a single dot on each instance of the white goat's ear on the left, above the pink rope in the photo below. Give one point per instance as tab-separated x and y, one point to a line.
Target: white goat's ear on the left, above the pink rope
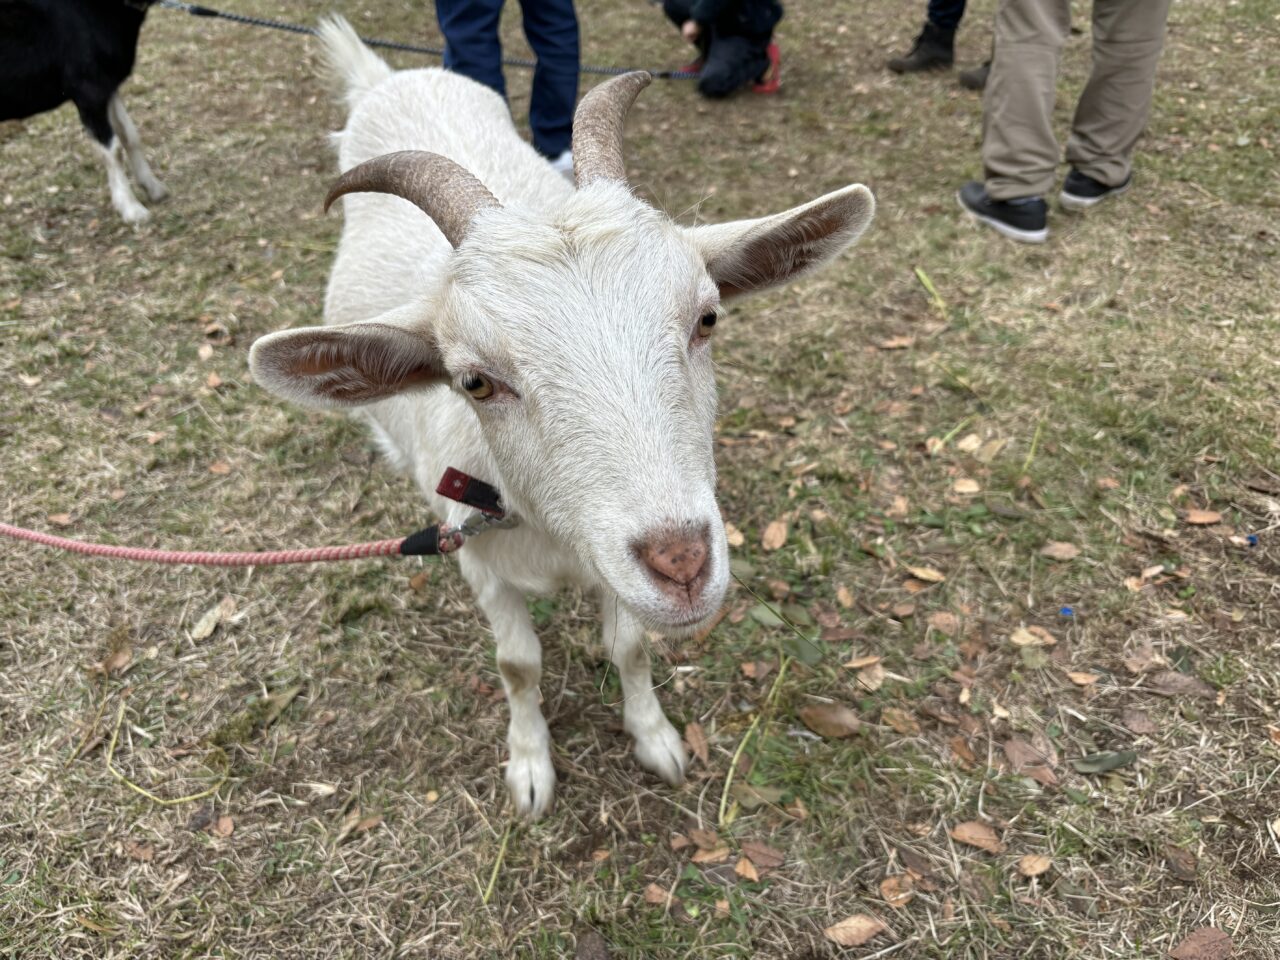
345	367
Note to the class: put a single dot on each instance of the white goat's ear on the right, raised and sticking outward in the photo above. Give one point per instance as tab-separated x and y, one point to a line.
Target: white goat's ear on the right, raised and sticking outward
755	255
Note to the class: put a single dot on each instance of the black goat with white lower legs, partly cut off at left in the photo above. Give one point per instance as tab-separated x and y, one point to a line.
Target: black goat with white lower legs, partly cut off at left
80	51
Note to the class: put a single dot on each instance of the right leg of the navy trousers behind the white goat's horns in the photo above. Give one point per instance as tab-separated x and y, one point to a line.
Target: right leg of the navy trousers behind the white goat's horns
551	28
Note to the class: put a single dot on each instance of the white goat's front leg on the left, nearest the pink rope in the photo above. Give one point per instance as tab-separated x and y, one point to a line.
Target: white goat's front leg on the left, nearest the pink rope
531	776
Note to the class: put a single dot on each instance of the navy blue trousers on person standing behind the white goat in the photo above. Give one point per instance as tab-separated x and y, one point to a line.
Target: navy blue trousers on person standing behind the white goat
473	49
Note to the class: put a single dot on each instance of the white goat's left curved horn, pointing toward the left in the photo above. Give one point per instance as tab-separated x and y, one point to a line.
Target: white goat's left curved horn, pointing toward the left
433	184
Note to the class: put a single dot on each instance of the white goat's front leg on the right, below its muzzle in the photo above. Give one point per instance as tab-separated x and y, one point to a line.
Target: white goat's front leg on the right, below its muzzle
659	746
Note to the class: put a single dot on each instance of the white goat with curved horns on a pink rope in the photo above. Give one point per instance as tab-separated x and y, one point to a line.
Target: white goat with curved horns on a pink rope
551	341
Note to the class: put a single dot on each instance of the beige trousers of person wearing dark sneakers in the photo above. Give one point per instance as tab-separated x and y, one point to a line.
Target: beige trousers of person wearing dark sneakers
1020	150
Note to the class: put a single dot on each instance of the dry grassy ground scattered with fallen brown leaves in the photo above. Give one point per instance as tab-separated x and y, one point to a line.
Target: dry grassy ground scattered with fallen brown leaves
1090	392
